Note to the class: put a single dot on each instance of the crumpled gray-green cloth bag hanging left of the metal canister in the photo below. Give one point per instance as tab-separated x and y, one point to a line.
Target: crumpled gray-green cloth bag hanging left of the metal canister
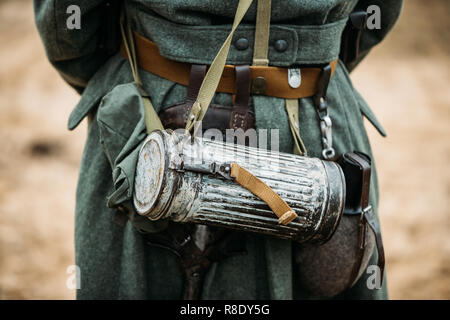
121	121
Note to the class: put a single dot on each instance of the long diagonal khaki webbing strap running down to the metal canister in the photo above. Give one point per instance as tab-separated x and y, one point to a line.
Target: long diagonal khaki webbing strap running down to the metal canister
214	73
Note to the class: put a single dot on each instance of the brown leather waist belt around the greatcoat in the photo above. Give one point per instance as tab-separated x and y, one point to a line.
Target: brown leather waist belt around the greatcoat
269	81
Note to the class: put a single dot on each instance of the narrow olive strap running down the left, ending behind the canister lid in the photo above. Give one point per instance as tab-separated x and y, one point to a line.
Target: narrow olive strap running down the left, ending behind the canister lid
152	121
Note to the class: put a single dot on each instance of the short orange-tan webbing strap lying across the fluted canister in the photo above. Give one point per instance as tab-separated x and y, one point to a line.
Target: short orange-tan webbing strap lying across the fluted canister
250	182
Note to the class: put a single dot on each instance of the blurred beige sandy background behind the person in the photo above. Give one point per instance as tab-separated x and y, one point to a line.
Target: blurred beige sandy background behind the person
405	80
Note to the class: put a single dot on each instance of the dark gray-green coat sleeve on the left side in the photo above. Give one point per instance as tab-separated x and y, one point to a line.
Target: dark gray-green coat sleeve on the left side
78	53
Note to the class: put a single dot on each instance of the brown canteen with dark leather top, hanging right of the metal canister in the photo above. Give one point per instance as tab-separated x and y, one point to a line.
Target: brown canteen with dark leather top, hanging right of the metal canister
328	269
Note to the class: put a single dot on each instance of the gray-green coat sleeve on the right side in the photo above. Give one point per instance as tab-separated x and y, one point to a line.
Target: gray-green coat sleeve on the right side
390	12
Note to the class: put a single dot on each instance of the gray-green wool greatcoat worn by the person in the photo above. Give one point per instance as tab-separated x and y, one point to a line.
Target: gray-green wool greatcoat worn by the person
115	262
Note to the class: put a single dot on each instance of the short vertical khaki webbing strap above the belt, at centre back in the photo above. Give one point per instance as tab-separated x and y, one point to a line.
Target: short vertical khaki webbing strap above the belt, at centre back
262	32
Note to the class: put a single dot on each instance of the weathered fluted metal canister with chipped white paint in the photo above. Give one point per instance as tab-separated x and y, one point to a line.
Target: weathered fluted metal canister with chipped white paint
313	188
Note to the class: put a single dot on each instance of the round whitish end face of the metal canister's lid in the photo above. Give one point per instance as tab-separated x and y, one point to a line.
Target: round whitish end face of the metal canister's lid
149	177
